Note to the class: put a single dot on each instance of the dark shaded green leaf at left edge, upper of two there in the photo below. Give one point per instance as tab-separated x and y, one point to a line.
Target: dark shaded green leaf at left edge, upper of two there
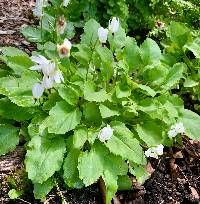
10	110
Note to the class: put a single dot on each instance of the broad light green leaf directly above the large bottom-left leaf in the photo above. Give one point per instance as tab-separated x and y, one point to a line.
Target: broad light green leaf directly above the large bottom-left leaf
62	118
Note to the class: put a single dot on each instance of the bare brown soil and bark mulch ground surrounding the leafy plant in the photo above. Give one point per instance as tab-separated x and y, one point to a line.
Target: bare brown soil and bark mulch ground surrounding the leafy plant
176	177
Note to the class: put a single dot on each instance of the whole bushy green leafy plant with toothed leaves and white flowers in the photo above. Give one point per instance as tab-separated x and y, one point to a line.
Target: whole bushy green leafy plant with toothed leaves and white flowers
96	107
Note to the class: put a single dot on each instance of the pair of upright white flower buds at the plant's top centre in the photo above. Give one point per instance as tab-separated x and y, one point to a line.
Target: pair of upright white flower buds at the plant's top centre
112	27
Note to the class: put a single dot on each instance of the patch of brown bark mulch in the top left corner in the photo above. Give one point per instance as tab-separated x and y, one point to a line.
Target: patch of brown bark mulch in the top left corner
13	15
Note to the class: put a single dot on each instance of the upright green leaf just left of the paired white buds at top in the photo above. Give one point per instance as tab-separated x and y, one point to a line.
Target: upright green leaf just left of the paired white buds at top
90	35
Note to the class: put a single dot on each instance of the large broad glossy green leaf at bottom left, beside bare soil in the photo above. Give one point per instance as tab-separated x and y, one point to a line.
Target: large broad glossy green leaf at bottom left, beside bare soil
44	157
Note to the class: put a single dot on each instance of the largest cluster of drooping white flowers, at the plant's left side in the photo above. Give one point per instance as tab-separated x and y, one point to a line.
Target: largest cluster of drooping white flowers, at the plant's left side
50	72
